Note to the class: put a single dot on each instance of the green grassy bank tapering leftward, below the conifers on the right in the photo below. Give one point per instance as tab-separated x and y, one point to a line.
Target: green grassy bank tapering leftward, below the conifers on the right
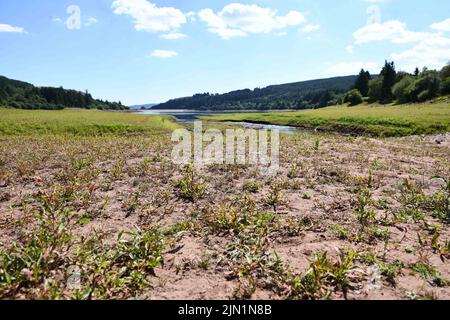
374	120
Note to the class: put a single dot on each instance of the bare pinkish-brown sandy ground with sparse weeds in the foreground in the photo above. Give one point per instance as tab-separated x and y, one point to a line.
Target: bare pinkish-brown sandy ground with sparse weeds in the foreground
126	185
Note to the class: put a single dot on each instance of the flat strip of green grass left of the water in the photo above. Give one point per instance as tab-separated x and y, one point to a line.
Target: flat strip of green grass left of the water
79	122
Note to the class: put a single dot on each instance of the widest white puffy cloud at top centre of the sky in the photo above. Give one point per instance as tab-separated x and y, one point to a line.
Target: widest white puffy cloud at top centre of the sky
237	20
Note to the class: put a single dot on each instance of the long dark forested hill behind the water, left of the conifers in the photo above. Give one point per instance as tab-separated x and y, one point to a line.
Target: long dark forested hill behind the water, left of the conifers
298	95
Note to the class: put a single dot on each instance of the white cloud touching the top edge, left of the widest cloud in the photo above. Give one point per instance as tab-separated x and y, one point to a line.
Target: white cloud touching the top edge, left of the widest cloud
148	17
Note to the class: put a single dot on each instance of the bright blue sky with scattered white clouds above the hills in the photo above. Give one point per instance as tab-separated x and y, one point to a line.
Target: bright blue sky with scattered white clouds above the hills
142	51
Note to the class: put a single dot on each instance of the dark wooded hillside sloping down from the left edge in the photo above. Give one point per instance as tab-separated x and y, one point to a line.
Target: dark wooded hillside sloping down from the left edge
18	94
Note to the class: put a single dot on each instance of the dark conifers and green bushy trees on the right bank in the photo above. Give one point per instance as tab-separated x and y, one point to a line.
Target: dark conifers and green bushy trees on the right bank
398	86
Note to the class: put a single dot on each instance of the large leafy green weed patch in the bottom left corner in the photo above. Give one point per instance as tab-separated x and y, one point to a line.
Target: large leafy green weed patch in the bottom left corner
37	267
